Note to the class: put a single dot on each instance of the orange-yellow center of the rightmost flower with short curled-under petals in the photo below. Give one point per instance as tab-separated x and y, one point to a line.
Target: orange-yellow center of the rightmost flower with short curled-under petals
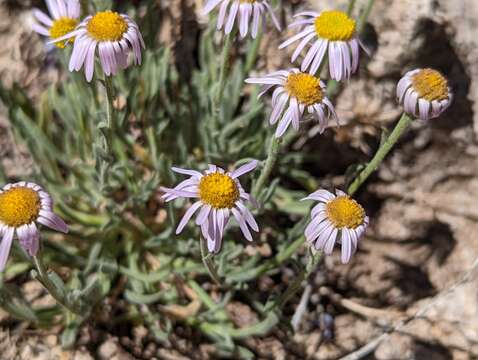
430	85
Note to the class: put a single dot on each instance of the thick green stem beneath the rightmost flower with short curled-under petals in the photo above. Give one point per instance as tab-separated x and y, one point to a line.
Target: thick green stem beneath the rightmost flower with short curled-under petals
384	149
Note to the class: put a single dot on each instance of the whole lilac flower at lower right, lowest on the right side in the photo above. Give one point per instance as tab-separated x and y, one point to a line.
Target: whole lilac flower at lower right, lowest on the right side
336	218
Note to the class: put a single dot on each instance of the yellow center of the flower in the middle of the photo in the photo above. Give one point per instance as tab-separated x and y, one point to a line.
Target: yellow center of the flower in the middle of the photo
218	190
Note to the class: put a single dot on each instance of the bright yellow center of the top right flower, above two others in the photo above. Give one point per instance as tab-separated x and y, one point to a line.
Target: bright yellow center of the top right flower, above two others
334	26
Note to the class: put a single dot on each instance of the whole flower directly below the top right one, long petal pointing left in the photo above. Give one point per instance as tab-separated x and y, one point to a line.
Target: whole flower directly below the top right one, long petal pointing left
295	92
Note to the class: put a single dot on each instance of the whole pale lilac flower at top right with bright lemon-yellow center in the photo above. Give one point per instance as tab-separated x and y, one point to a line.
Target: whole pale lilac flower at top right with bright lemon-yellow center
328	30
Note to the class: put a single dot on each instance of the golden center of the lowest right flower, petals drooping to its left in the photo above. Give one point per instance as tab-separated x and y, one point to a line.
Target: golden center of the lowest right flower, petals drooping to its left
345	212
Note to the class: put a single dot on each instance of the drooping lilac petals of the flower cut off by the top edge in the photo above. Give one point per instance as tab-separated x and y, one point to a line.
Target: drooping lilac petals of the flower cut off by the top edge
245	10
